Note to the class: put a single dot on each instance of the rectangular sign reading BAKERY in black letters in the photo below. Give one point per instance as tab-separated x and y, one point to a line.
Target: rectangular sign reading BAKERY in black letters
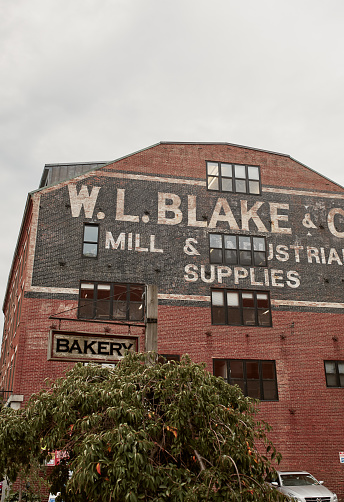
89	347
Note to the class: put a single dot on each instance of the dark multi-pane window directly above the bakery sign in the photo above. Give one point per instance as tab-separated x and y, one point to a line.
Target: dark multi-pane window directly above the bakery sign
111	301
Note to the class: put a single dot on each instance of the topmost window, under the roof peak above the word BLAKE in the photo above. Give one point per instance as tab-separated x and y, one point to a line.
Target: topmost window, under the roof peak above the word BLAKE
235	178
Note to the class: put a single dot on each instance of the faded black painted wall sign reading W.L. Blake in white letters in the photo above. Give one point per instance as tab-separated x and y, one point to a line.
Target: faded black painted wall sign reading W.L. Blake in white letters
157	229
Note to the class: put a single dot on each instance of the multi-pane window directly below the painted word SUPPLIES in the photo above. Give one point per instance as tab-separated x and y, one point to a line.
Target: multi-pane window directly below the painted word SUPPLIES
240	308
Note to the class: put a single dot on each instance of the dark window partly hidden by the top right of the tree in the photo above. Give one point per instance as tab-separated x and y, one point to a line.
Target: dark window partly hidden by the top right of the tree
256	379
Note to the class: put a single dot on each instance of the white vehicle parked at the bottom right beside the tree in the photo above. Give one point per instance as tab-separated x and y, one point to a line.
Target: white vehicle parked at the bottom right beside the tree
301	486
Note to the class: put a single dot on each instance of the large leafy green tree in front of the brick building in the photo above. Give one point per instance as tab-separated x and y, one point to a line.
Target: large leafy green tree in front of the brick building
142	431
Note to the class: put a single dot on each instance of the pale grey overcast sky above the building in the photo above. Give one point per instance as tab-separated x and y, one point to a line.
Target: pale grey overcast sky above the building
93	80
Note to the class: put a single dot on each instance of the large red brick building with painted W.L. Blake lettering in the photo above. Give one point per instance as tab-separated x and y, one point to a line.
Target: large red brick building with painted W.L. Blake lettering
246	250
